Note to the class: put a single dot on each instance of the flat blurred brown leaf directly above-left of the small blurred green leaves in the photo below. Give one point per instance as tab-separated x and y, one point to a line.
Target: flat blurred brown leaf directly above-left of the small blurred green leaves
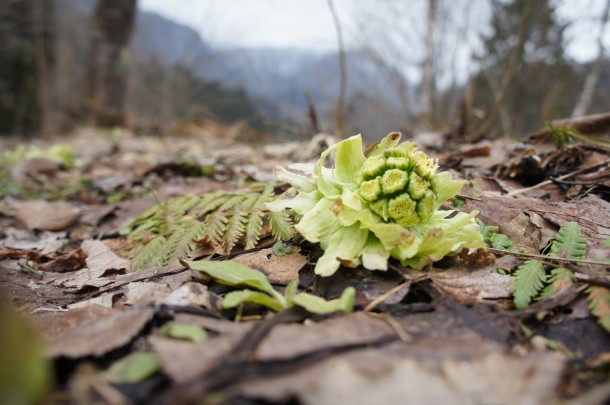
99	336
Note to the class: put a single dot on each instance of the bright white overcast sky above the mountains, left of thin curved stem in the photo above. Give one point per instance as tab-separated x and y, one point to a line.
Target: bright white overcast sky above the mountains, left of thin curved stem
256	23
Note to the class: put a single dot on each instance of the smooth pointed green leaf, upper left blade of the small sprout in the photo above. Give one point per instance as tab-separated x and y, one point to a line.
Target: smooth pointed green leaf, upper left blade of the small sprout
232	273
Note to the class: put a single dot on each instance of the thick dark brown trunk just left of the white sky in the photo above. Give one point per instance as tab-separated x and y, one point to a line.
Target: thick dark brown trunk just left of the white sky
106	77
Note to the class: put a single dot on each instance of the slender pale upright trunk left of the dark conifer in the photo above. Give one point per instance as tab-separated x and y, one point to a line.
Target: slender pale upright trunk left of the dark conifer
426	92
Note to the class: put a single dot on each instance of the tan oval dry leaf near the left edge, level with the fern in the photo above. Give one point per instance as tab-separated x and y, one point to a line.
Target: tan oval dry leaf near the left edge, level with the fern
47	216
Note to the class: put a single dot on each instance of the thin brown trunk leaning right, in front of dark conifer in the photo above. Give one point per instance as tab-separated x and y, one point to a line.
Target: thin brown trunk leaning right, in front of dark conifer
508	75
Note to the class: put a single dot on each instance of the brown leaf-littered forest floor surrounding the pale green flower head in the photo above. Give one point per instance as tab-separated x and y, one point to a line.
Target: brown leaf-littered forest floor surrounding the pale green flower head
447	334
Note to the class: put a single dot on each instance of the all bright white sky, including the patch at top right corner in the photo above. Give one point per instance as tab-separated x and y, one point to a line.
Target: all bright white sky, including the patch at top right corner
309	24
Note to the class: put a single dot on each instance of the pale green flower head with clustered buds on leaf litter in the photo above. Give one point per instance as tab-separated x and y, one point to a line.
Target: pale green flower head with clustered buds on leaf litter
368	208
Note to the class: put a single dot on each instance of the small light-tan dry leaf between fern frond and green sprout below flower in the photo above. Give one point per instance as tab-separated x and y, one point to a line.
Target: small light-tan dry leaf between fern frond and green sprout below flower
278	269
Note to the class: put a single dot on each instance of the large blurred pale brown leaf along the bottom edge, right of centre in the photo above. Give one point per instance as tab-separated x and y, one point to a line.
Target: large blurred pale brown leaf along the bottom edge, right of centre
422	373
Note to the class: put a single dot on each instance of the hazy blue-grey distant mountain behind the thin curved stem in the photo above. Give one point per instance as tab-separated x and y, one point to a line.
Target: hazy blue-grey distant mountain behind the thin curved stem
279	78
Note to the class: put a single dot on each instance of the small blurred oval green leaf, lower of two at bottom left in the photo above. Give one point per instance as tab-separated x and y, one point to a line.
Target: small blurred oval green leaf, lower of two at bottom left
133	368
